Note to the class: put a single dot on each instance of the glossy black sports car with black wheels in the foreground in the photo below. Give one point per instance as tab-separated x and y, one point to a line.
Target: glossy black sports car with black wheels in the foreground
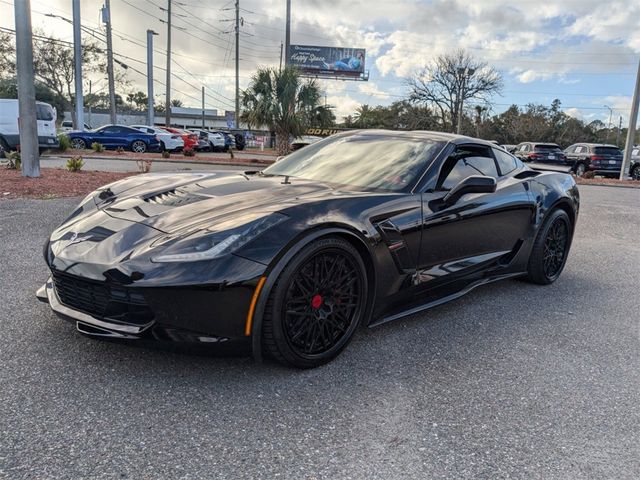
361	228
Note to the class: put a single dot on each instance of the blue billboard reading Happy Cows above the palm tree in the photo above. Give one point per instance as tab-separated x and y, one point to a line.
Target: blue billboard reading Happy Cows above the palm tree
329	61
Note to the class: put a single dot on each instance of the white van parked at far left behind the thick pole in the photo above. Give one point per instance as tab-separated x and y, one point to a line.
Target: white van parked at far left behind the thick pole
9	133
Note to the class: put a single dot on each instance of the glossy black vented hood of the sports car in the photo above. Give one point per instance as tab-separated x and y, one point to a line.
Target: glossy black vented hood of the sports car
169	203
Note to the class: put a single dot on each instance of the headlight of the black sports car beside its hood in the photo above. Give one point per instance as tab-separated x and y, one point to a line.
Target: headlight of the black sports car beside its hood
205	245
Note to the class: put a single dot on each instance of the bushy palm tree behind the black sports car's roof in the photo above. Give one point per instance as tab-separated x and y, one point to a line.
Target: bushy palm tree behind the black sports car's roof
281	100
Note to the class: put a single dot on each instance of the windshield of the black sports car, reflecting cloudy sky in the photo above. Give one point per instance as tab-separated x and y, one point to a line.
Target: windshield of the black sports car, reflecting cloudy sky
389	162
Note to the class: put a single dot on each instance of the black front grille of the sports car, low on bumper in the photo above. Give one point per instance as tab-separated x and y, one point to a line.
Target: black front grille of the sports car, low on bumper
102	299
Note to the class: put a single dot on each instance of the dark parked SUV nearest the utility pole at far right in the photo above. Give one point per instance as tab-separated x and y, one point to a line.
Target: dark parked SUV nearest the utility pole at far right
605	160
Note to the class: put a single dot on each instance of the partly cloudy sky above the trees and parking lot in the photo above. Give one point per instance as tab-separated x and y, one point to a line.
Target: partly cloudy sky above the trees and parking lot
583	52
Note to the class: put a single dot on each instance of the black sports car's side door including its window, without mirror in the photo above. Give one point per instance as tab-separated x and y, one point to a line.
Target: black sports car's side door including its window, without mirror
479	229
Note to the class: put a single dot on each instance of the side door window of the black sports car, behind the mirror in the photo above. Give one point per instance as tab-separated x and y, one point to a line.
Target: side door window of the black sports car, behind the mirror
466	161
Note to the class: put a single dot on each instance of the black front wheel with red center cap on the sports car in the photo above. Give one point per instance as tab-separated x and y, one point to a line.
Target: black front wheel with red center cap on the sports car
316	304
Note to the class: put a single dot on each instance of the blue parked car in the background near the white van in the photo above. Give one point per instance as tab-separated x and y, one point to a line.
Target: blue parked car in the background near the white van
114	136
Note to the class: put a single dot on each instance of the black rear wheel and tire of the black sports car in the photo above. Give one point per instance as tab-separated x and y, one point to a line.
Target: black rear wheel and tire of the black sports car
550	249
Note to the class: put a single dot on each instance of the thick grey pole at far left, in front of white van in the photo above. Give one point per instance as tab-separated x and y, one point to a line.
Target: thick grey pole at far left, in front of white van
27	122
